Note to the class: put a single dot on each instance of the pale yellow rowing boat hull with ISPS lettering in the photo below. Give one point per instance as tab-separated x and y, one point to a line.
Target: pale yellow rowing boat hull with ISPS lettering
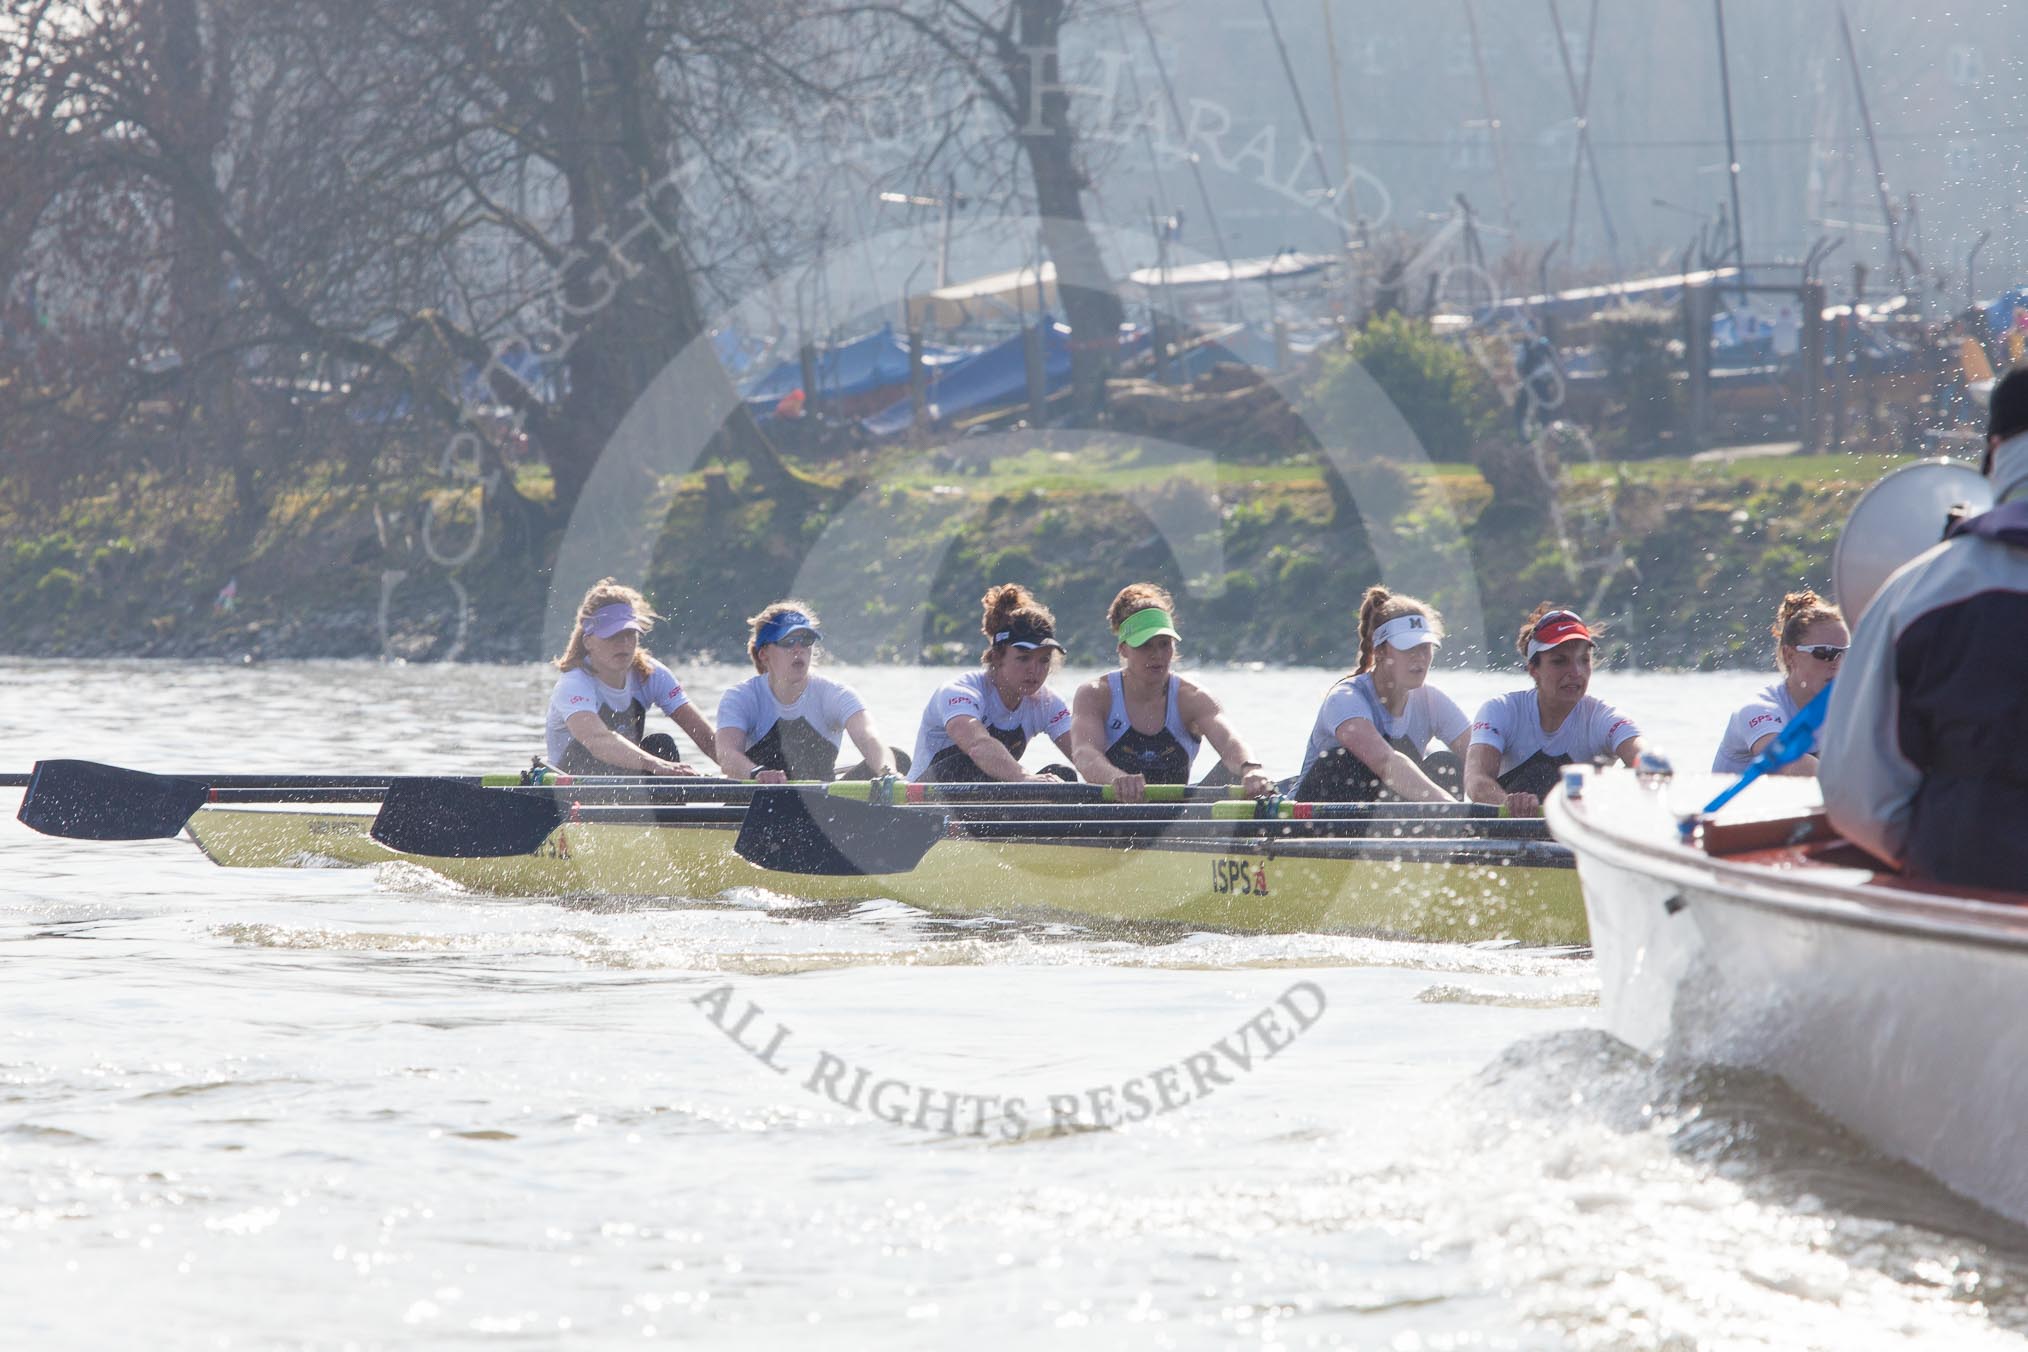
1475	893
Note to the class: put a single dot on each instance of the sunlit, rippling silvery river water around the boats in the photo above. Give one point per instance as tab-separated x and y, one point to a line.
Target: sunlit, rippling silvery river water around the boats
364	1110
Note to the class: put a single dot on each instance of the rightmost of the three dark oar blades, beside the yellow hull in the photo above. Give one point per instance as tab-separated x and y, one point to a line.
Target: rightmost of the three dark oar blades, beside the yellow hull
800	832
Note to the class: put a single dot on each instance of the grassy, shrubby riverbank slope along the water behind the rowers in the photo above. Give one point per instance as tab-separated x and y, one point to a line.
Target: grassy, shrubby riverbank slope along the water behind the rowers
1682	560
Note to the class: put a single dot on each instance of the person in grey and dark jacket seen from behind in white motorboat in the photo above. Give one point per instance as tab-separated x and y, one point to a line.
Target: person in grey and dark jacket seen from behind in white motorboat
1922	757
